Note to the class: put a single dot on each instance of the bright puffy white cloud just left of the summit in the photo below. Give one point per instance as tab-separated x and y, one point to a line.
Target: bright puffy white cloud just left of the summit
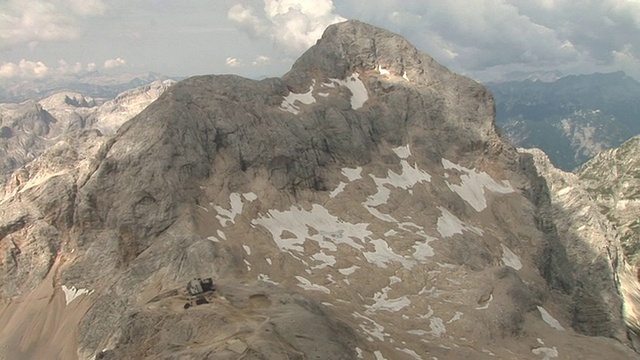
294	25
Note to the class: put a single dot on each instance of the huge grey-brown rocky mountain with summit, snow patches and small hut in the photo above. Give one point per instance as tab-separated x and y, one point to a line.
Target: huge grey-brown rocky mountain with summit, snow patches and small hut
362	206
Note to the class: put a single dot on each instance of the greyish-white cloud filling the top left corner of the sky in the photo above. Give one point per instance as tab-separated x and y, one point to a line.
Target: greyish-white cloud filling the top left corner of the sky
31	21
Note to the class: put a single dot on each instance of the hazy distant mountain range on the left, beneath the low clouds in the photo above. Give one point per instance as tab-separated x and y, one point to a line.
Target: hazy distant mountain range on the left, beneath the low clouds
93	84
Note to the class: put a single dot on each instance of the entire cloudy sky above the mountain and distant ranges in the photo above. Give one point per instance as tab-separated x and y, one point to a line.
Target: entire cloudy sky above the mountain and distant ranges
484	39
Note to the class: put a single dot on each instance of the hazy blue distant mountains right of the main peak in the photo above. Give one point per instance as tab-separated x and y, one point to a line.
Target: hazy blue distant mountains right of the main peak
571	119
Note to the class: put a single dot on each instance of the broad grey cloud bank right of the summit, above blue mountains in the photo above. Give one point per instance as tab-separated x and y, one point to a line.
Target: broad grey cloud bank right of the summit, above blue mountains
493	36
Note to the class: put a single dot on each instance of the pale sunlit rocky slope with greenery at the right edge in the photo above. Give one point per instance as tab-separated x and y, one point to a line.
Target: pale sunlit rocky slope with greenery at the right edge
598	207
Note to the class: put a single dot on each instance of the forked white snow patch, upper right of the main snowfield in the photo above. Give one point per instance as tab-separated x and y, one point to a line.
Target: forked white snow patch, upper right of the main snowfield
474	184
